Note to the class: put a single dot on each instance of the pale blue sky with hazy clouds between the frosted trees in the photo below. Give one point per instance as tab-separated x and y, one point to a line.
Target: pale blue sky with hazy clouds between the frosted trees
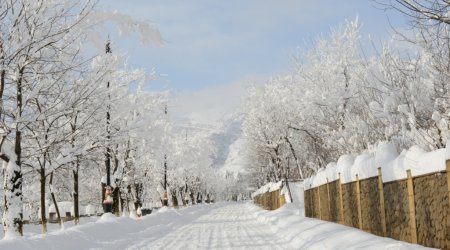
213	50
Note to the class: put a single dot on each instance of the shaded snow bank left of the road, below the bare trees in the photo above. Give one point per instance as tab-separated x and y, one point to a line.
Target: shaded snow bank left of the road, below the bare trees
108	232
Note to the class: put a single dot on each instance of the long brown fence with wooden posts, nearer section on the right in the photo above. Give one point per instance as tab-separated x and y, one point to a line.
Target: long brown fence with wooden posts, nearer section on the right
415	209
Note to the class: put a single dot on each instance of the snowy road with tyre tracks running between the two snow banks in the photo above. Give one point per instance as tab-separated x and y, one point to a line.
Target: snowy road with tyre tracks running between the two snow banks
228	227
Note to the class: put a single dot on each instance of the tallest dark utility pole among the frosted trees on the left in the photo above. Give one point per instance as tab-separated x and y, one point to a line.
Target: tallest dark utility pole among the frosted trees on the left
107	203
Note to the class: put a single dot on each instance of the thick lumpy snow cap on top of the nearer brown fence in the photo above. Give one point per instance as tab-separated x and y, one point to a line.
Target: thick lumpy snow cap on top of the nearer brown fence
393	165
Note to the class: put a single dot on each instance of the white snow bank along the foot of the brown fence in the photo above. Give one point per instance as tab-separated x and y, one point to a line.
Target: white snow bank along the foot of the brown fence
305	233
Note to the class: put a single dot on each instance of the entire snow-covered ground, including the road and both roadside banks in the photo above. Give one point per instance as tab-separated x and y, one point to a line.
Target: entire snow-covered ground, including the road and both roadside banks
216	226
